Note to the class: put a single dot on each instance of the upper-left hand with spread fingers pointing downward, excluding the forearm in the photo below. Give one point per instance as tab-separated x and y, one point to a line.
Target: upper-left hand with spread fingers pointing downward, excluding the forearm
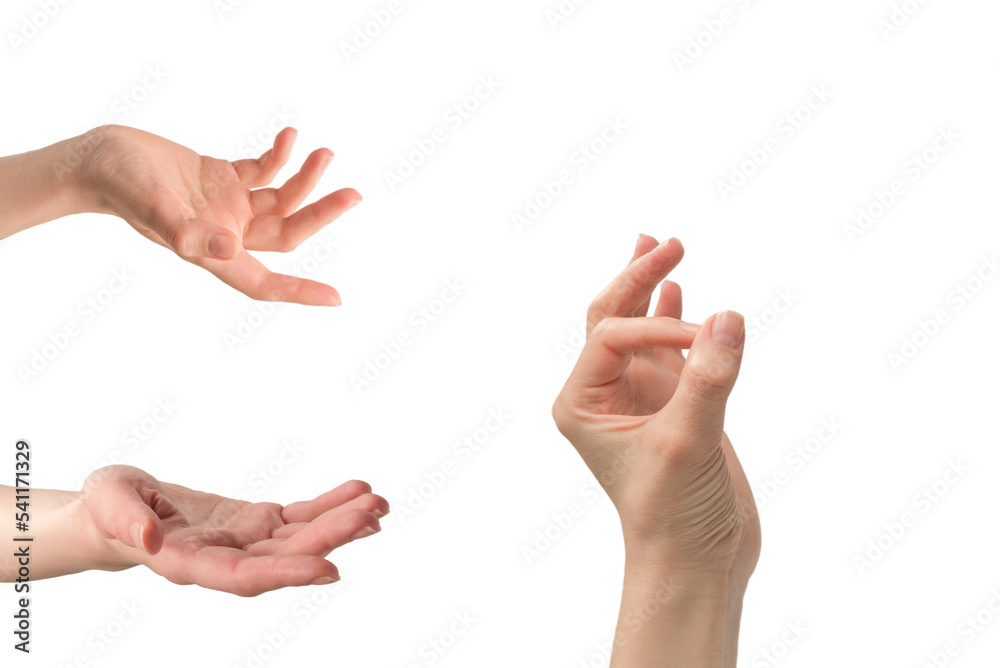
211	212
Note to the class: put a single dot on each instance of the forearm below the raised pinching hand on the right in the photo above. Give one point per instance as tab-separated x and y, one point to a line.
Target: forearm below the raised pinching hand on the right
669	619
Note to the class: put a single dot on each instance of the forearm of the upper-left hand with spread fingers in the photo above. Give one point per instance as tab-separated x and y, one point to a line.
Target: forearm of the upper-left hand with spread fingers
42	185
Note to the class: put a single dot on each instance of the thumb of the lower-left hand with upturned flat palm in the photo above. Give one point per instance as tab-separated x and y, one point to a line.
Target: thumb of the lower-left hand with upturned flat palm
122	513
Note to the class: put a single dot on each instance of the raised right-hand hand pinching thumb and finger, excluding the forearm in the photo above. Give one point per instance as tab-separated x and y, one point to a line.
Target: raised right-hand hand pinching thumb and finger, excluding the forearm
649	423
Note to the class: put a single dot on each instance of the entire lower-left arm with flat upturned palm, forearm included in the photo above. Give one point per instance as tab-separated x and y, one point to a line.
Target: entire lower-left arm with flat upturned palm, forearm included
124	517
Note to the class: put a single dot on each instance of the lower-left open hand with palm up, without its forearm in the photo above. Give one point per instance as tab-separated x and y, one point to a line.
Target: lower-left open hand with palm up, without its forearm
244	548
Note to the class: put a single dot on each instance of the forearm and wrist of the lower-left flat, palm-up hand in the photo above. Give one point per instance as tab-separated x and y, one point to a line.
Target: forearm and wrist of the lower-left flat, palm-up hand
64	539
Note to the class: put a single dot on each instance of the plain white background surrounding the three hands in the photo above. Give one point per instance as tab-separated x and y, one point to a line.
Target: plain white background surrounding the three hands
508	340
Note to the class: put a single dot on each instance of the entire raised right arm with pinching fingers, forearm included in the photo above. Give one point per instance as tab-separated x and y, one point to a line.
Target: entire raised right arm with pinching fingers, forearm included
648	422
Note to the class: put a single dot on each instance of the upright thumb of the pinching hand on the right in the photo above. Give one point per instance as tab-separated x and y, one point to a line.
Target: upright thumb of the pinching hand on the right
697	410
